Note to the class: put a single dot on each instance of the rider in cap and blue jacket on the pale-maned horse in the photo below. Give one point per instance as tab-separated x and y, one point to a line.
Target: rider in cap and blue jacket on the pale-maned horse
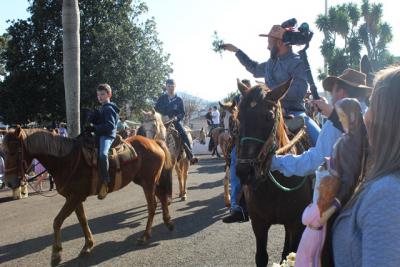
171	105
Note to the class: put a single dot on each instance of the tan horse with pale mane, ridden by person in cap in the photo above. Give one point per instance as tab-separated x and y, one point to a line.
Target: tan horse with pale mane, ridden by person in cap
154	128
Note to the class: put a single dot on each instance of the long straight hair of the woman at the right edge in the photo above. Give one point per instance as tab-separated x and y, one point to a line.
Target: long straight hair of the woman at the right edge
384	128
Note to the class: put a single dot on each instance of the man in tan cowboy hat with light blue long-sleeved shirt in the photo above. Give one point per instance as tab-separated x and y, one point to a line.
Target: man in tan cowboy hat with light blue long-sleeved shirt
351	83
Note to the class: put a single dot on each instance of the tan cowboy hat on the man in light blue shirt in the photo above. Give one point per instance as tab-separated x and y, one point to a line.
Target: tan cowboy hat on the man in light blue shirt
356	79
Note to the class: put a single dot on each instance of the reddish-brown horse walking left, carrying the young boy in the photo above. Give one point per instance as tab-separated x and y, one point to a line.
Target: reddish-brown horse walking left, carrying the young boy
76	180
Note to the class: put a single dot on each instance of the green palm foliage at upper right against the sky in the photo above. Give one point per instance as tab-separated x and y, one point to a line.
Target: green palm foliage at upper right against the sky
357	27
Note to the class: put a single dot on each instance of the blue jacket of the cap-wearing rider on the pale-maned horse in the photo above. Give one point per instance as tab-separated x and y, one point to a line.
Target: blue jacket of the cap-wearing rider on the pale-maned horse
170	106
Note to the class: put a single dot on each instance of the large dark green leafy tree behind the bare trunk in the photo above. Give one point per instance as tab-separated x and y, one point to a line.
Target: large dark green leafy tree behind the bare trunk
118	46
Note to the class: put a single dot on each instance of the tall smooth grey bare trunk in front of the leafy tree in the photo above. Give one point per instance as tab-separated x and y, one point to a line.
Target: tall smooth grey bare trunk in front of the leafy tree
71	62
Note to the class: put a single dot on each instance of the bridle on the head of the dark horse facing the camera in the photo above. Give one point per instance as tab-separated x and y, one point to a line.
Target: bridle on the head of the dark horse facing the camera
269	146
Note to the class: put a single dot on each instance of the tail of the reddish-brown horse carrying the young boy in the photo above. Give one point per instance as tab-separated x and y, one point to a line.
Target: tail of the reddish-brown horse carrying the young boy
164	186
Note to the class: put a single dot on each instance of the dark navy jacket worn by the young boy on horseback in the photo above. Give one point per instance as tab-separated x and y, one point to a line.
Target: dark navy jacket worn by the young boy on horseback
106	123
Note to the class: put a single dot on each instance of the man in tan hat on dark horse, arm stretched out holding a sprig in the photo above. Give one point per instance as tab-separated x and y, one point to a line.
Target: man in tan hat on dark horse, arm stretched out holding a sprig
282	65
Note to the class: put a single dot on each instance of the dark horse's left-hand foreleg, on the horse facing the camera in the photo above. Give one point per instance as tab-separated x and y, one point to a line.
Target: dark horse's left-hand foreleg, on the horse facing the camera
260	229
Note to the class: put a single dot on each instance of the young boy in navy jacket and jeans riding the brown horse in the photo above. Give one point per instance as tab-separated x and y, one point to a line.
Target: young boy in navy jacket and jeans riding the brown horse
105	129
